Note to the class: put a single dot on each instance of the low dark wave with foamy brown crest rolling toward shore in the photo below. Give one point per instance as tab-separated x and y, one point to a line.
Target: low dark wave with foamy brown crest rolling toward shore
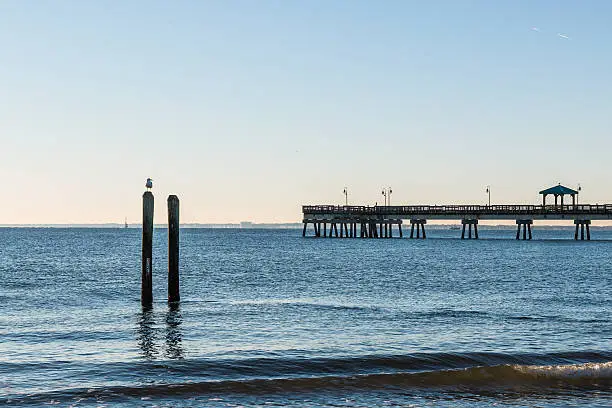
471	372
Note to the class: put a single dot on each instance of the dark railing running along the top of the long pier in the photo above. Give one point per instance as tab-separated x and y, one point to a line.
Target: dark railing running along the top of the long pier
460	210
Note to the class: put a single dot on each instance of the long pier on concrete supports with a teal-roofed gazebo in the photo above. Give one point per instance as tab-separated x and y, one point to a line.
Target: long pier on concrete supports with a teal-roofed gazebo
381	221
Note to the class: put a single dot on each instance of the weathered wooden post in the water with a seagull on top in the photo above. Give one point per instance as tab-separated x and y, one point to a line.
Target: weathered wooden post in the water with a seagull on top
146	292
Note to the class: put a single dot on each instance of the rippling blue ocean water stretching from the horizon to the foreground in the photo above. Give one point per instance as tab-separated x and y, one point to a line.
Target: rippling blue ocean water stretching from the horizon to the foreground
268	318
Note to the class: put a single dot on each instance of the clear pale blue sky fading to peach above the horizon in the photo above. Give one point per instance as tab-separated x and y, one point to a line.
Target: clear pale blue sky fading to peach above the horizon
248	109
